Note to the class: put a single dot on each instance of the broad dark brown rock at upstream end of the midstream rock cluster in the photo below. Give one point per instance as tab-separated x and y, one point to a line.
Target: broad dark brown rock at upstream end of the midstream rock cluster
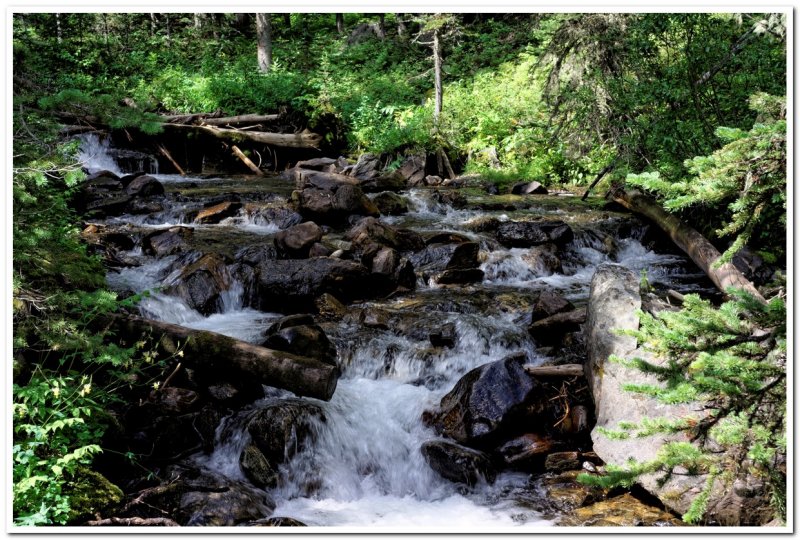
333	205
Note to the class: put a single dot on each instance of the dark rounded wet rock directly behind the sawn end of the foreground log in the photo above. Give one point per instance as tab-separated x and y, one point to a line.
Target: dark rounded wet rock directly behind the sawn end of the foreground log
301	337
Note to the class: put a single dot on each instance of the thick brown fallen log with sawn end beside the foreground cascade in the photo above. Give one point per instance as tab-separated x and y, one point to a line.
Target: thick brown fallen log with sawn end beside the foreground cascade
214	353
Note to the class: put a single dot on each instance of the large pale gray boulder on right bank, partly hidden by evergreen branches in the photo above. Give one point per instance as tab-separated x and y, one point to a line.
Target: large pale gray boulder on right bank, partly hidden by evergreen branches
613	304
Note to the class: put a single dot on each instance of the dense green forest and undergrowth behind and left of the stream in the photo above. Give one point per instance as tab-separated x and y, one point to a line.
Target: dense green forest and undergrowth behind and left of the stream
556	98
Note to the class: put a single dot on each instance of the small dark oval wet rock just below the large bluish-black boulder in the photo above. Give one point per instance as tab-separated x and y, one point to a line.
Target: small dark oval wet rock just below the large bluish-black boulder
458	463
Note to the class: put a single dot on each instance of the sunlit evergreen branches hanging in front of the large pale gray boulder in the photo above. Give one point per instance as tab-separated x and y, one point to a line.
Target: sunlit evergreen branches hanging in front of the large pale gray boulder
731	361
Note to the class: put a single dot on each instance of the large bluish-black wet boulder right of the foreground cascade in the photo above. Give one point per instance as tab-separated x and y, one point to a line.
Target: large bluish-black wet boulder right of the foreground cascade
485	402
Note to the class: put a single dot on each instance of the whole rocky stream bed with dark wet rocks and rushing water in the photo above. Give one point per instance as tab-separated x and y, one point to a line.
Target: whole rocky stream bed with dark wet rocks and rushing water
430	305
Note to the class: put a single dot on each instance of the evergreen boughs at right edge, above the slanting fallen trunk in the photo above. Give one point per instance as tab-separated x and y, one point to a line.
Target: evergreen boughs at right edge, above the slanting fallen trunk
745	179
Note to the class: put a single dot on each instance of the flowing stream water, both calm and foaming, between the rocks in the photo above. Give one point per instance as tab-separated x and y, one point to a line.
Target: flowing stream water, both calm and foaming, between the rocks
365	468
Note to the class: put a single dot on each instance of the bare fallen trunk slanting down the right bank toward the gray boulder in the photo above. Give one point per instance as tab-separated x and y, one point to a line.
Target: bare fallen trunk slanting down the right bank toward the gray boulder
699	249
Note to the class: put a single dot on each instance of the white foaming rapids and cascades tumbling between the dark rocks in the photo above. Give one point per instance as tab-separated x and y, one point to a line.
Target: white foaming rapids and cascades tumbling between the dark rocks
365	468
